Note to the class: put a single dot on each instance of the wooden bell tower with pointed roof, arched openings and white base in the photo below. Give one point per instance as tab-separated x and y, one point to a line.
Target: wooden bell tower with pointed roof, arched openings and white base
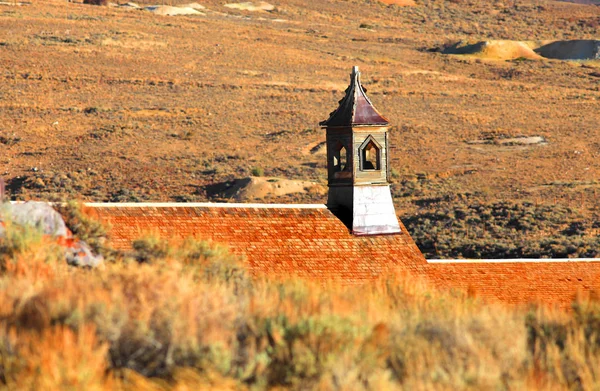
358	164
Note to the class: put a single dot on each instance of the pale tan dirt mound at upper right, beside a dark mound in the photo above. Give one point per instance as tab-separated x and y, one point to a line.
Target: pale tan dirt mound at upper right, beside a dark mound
494	50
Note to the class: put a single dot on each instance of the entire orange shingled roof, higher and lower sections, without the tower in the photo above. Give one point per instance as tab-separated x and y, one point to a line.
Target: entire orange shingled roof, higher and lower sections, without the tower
311	242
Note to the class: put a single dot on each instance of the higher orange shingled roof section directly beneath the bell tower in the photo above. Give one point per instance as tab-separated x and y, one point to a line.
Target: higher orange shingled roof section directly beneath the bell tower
308	241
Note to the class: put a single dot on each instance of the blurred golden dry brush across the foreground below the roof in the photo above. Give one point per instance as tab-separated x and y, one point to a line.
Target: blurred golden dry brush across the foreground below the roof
188	315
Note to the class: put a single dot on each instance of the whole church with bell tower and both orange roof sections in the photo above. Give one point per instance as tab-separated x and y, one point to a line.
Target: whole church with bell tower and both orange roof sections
357	236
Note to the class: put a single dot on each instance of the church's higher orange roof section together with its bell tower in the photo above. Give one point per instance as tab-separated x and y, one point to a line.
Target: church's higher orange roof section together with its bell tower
355	238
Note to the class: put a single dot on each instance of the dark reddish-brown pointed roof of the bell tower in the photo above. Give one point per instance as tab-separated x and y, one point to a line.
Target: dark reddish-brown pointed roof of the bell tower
355	108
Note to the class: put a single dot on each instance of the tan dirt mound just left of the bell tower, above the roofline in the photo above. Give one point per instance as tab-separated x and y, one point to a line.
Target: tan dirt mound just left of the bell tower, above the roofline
257	188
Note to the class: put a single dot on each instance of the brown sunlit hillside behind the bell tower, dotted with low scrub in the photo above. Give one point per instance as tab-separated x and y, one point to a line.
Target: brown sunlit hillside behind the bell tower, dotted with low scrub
120	104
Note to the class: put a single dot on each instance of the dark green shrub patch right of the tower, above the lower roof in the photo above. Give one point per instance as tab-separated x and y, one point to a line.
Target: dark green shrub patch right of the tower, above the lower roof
502	230
